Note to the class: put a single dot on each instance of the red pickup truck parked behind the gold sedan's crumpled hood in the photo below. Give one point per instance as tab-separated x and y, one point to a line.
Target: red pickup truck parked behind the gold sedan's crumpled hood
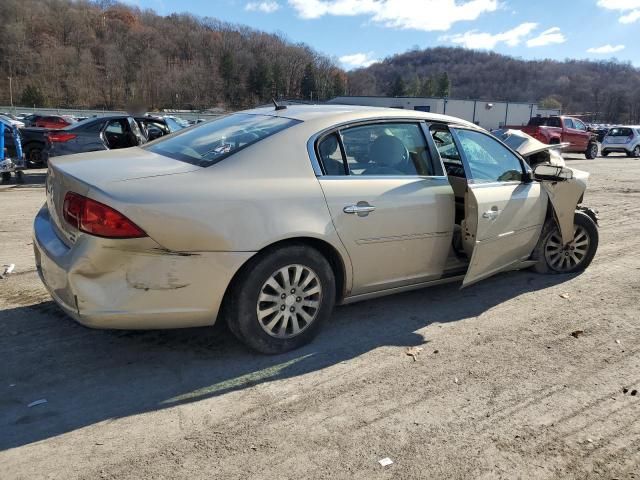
560	129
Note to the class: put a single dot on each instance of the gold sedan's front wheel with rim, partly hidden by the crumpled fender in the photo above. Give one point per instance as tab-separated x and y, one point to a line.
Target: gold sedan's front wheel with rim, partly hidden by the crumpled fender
553	257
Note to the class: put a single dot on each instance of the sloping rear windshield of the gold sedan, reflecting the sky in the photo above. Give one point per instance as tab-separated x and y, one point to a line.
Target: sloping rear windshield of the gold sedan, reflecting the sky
208	143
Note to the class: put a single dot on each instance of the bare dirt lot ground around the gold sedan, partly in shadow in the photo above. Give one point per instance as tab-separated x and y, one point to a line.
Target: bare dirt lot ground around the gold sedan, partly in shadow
500	390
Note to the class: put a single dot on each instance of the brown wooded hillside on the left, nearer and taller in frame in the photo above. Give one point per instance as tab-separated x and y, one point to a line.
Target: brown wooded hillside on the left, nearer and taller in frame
107	55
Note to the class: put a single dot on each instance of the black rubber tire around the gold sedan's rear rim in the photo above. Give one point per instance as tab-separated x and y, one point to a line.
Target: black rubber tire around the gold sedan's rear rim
242	305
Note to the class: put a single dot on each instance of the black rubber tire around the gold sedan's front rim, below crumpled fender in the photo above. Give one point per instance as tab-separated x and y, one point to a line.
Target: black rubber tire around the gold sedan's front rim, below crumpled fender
542	253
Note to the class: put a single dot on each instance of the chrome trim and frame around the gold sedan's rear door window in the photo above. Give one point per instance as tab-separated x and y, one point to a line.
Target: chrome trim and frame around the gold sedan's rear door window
315	162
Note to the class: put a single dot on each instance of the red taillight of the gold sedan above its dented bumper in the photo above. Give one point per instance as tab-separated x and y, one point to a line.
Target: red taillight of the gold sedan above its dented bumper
98	219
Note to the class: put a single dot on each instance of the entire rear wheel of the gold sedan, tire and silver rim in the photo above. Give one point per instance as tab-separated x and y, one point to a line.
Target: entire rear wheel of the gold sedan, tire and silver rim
281	299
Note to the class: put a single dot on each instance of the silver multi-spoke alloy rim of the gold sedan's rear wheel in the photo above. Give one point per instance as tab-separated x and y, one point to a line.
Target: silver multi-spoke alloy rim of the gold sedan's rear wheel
289	301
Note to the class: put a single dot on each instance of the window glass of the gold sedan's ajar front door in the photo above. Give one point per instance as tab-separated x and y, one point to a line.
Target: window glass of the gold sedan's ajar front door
488	160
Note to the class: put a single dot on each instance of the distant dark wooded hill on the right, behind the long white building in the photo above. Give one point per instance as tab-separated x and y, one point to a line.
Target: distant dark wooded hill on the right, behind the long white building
609	90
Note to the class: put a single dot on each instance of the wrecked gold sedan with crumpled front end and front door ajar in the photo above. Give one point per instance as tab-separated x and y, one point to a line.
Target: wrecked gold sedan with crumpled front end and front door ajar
269	217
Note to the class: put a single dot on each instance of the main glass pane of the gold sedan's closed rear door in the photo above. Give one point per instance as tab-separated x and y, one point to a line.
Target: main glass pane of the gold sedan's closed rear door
386	149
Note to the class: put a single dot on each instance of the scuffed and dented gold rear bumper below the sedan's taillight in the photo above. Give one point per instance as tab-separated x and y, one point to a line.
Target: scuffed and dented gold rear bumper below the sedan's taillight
134	284
